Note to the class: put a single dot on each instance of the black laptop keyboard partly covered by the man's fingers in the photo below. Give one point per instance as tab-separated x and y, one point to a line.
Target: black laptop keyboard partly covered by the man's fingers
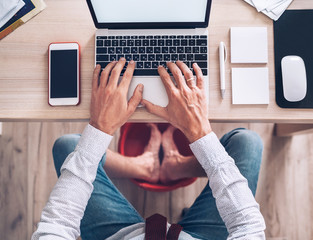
151	51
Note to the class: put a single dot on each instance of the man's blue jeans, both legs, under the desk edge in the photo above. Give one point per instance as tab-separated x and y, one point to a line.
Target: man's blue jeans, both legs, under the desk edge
108	211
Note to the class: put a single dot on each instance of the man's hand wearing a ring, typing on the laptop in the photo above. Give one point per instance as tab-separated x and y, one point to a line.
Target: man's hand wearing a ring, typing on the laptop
187	108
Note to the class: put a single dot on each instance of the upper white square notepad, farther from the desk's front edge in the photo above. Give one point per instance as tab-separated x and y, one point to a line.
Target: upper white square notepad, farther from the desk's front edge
249	45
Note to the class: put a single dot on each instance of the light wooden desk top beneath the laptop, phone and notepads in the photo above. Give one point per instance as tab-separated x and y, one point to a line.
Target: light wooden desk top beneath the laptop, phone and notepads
24	64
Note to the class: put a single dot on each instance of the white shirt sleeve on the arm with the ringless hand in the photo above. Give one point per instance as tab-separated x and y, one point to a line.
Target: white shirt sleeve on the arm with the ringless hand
60	219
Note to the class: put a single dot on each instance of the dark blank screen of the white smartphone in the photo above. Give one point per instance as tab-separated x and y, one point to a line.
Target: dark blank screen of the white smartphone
63	74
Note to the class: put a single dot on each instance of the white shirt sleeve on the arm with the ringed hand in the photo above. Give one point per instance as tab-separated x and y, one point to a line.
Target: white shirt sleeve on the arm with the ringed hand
234	199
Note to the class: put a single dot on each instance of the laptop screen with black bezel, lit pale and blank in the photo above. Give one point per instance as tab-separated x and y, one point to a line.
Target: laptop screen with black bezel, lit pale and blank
150	13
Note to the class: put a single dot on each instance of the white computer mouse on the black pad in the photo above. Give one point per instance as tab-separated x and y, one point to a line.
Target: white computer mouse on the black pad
294	78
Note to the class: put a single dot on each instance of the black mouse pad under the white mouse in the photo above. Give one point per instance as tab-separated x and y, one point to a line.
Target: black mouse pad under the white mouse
293	35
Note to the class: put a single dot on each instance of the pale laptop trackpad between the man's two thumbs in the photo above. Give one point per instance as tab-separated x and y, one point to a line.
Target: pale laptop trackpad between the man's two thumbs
154	90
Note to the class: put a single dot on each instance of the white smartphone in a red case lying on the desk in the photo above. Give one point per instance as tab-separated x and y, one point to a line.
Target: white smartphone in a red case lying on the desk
64	77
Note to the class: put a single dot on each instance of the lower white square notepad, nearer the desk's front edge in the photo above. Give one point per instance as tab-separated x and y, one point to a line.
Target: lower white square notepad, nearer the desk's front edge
250	86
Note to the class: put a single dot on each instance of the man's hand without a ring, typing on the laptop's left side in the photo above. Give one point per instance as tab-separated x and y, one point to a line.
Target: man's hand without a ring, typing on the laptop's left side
109	106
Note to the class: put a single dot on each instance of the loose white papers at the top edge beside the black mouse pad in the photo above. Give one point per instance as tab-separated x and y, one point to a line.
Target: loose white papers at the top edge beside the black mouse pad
272	8
